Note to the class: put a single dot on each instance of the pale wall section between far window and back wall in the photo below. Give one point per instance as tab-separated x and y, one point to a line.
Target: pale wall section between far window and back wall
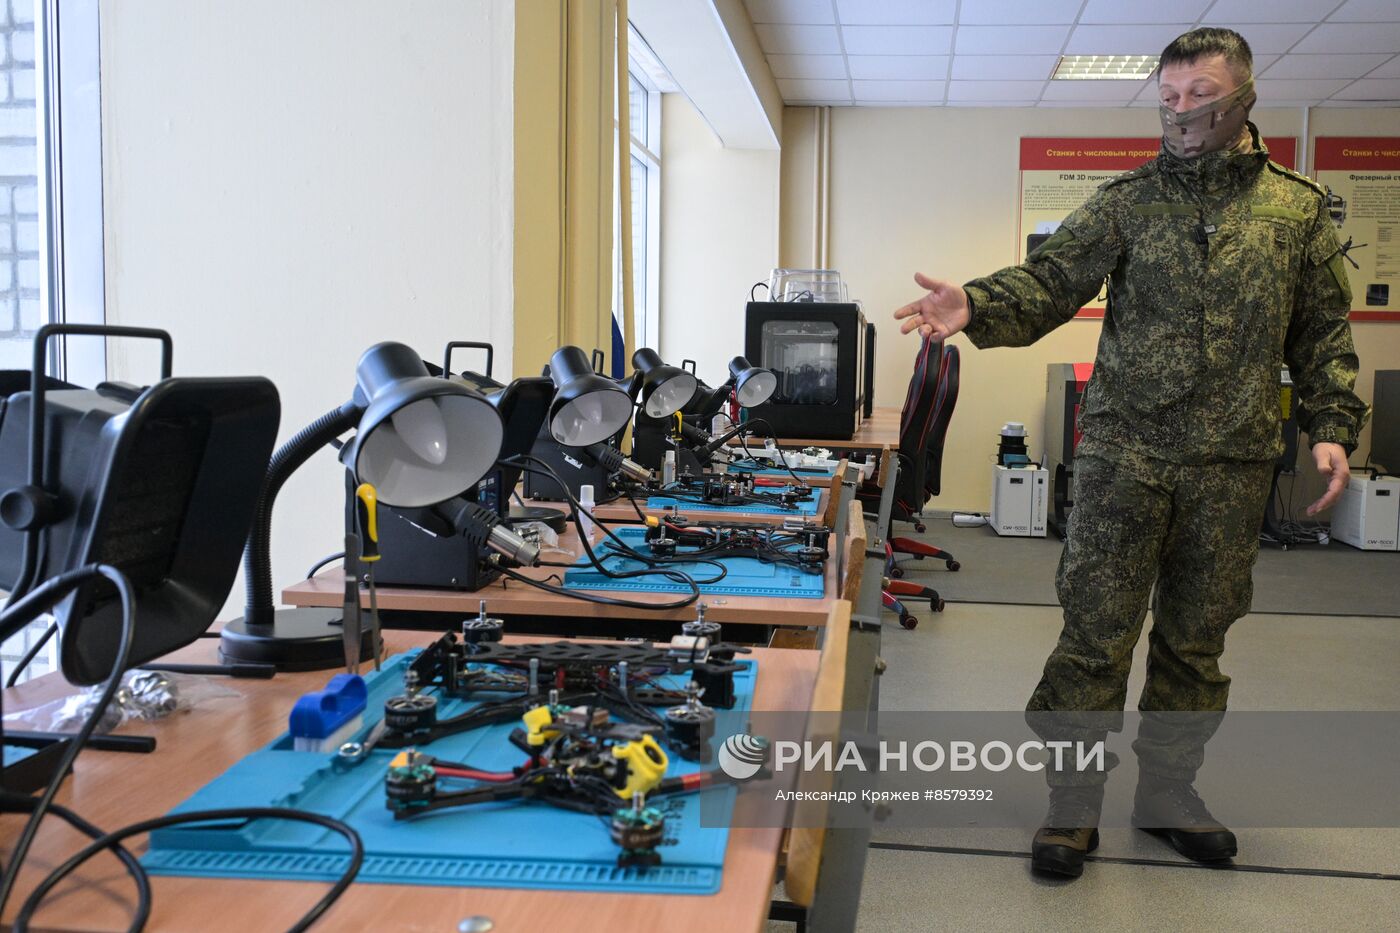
719	236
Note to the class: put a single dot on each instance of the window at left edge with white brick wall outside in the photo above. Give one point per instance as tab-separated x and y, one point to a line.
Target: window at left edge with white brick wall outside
51	205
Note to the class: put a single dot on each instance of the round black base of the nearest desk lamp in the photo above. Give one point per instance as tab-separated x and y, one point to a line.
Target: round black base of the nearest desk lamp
303	640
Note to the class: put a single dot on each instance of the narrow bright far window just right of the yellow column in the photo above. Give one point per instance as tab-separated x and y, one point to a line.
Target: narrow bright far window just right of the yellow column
645	117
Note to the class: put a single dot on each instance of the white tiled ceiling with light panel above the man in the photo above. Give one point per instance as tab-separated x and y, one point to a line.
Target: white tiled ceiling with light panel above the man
1002	53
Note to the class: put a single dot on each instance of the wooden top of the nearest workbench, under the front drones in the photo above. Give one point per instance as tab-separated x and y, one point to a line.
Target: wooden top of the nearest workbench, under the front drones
114	789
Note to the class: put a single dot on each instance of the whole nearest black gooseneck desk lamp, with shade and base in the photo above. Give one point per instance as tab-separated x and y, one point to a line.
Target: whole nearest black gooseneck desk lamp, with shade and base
419	441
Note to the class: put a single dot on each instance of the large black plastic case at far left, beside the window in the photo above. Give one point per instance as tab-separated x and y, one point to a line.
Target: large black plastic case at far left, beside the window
162	487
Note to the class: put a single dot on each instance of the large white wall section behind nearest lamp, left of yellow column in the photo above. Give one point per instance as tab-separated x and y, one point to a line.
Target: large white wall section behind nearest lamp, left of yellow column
288	184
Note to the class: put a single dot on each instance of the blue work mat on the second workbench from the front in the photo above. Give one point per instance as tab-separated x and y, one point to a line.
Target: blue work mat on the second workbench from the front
745	576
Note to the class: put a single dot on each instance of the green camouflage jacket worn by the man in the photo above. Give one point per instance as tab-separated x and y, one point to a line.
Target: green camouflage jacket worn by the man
1221	268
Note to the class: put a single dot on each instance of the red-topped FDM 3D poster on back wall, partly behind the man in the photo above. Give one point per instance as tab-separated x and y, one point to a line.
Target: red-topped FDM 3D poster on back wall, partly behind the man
1059	174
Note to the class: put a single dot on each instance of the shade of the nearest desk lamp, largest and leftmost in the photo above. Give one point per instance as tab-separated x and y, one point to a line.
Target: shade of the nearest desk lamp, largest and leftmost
421	439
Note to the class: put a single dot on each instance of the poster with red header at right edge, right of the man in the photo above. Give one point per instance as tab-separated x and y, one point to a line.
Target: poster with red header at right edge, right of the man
1363	180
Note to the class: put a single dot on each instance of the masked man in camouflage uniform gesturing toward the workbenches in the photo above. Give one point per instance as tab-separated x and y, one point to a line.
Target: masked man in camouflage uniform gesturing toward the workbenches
1221	267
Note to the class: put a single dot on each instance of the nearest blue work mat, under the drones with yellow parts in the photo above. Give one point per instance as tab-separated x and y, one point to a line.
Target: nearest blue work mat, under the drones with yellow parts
507	845
